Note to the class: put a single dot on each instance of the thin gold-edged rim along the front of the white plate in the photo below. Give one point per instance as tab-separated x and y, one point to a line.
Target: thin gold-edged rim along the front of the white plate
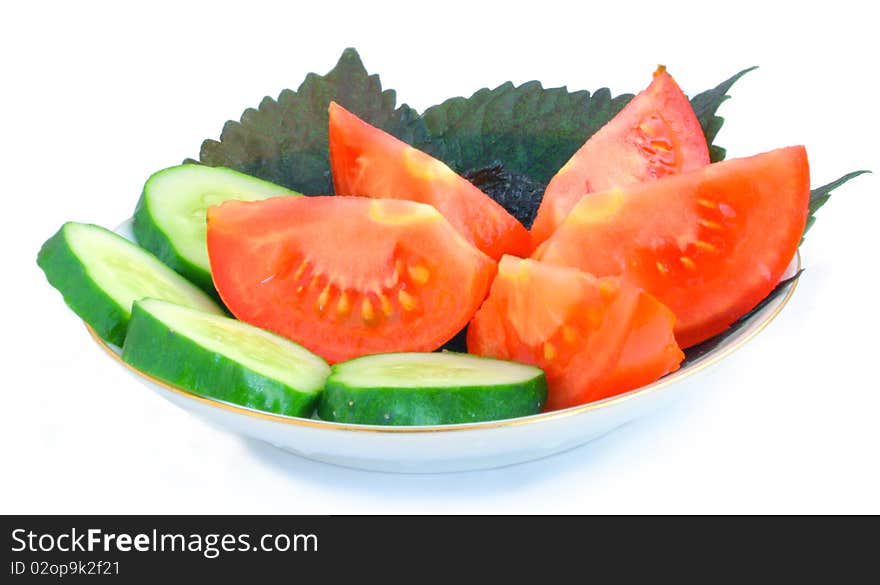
535	418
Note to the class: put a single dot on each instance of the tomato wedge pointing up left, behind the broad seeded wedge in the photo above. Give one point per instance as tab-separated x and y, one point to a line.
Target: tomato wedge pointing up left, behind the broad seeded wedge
371	163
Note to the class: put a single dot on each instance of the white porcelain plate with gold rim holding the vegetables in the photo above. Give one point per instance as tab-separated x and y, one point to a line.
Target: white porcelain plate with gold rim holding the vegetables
442	448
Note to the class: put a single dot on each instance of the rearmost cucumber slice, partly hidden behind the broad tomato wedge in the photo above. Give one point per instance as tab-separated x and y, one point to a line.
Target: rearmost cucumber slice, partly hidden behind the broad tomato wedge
169	220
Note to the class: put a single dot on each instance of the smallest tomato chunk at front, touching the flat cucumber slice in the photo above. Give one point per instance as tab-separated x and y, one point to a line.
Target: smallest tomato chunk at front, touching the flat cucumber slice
593	337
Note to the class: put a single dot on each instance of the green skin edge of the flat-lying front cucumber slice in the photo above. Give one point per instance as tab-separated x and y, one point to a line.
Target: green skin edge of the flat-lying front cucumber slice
430	406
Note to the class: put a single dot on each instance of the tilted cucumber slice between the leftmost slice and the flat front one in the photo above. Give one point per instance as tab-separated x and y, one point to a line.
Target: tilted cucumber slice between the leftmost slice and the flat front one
223	358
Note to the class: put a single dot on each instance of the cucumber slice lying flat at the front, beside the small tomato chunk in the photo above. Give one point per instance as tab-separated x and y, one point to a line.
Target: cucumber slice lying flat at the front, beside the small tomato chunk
430	389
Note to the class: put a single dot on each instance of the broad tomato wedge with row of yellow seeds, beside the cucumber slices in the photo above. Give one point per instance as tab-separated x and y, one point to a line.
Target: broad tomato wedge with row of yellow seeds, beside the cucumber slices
346	276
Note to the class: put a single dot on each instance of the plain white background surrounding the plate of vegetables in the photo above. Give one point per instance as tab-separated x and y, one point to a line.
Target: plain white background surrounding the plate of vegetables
96	97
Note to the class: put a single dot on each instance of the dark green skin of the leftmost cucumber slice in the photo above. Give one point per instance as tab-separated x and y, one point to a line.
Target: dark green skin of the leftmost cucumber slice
66	272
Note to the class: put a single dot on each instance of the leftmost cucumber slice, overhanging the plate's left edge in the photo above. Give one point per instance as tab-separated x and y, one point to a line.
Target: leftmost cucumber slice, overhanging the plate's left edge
100	274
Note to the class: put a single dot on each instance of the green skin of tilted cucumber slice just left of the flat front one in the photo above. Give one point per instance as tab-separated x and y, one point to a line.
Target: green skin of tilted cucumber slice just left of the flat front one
153	348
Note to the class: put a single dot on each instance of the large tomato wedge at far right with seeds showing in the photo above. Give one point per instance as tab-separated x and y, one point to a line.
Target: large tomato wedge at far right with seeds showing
709	244
